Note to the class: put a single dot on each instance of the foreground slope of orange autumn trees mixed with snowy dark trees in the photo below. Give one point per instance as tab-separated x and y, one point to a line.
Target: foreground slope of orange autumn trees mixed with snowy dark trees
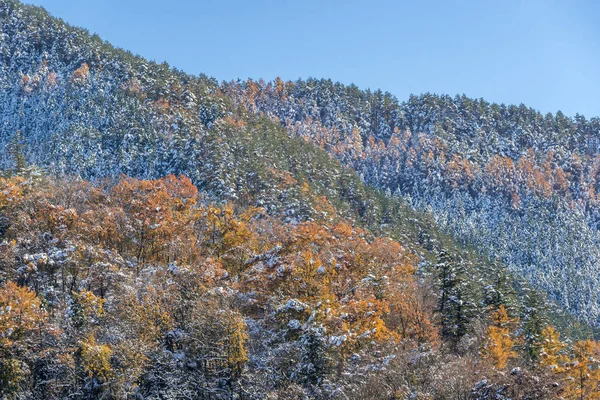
144	289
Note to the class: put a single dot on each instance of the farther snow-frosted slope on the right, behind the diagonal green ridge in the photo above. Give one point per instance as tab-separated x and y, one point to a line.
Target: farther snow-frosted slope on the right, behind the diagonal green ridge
513	183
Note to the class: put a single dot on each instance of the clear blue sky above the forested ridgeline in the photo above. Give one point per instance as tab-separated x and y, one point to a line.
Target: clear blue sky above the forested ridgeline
543	53
